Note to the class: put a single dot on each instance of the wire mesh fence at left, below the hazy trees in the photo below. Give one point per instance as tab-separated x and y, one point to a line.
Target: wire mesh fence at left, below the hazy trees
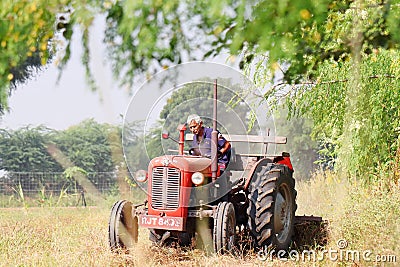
56	189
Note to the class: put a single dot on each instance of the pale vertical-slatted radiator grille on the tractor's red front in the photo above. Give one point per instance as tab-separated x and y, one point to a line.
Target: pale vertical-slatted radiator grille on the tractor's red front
165	188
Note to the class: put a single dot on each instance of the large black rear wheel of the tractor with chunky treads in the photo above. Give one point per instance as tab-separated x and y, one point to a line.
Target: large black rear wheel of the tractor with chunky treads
272	207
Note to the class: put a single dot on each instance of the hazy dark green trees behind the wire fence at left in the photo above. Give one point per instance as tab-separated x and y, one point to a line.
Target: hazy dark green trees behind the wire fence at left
89	145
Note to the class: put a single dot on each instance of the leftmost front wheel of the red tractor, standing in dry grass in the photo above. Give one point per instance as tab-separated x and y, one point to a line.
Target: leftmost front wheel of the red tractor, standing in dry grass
123	226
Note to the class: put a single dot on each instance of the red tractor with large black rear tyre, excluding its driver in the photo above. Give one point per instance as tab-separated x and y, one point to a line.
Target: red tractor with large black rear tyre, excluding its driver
188	199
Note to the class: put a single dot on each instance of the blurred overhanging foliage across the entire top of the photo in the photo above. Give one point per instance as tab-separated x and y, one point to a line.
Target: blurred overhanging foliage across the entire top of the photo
293	36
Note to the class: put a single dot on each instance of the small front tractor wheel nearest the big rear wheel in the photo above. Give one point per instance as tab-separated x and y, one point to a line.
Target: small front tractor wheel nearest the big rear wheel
224	228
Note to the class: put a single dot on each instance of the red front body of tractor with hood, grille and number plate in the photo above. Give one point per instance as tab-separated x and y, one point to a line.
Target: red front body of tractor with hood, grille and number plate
170	182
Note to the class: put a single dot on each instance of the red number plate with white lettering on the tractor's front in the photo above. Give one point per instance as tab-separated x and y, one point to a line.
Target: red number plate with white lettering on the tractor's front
167	223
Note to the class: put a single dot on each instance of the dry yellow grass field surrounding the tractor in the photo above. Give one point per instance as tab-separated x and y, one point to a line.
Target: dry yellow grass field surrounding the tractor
368	219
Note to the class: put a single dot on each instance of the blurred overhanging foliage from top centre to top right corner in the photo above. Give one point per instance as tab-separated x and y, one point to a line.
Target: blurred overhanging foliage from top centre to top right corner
302	34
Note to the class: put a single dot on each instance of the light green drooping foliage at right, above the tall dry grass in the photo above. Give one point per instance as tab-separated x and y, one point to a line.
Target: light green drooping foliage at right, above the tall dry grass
364	127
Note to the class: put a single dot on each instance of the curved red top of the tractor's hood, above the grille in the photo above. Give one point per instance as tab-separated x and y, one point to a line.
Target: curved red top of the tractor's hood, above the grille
183	162
